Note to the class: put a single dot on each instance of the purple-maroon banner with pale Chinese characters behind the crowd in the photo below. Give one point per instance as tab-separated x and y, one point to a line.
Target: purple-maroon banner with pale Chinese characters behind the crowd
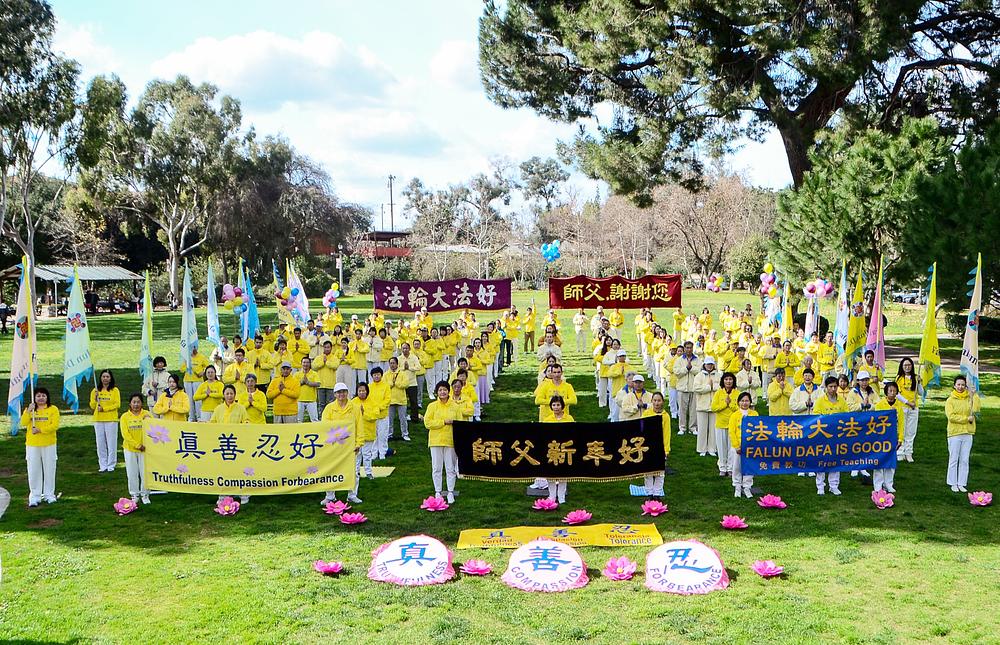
443	295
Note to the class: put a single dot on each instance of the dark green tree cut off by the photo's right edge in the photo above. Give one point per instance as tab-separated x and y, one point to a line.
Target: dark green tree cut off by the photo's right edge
954	216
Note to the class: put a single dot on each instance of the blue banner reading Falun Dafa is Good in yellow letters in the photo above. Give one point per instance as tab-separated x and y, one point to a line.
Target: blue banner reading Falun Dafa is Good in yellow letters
819	443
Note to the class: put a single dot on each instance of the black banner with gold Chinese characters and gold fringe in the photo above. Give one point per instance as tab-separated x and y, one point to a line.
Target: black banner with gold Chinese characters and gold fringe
512	452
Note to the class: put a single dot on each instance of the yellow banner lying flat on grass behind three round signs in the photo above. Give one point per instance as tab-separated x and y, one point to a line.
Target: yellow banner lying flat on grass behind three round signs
575	536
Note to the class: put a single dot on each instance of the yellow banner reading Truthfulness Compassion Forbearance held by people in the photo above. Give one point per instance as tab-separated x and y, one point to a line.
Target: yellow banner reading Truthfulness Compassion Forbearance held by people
247	459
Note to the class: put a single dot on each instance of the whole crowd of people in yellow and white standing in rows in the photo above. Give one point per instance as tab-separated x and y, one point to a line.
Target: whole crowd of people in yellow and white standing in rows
373	375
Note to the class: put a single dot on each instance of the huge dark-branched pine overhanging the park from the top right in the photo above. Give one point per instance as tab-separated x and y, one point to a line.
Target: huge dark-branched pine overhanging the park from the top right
683	77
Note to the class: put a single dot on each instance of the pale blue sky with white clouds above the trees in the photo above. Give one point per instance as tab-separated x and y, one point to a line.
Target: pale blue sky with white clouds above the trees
367	89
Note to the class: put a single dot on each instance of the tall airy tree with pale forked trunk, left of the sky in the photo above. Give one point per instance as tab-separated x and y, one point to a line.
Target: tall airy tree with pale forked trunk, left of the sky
168	159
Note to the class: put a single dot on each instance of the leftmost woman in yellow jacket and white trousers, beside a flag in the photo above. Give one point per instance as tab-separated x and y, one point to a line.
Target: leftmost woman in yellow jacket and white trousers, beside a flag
41	424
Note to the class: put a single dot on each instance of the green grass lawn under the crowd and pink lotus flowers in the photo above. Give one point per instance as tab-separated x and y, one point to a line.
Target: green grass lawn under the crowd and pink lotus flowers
923	571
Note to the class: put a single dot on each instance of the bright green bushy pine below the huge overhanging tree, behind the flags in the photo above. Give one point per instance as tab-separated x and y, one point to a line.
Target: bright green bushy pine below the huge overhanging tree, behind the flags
857	204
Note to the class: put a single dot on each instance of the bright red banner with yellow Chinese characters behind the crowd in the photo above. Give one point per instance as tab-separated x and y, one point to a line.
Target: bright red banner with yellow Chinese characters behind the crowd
616	291
